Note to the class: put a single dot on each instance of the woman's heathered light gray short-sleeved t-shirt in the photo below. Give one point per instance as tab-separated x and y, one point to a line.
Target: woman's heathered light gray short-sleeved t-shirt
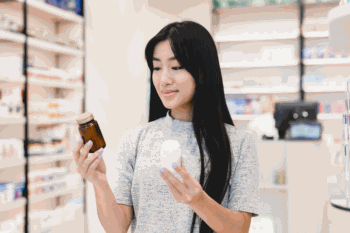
138	183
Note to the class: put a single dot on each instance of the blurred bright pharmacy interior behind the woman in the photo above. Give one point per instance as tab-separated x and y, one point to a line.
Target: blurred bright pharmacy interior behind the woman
60	58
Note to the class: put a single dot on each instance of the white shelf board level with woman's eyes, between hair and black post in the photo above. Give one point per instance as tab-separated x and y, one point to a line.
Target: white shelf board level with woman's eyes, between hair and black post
258	64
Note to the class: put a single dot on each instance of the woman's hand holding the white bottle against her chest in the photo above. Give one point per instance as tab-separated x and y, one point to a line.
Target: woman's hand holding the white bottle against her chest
189	192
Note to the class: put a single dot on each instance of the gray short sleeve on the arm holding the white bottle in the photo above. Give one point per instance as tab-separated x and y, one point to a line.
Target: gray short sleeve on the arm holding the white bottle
244	184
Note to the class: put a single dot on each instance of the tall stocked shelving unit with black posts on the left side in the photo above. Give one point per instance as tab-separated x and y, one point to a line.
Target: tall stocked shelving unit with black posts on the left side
55	93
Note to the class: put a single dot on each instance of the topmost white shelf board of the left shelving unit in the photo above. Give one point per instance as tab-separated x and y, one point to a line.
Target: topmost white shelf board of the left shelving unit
52	13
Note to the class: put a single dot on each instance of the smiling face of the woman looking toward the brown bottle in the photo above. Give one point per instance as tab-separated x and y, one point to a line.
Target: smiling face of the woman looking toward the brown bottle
169	76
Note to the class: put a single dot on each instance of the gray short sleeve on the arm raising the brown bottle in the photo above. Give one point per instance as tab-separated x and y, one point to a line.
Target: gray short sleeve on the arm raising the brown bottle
123	163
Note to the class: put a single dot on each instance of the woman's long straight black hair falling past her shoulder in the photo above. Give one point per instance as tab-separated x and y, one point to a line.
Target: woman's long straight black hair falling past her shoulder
195	50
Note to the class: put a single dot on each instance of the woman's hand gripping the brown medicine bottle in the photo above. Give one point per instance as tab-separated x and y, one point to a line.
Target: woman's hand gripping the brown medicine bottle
91	168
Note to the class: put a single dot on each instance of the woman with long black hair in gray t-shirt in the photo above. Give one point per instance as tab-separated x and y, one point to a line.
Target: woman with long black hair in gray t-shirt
218	178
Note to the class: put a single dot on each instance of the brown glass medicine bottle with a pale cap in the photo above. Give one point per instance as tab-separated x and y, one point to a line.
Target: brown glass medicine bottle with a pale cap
89	130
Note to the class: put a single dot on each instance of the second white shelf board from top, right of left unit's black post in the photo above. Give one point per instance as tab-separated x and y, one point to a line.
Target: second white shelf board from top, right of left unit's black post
42	44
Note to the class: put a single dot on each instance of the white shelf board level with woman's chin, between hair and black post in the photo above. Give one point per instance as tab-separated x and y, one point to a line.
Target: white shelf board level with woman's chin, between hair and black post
262	90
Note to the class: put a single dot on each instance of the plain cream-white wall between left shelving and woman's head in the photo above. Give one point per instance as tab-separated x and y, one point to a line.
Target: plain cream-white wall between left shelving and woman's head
116	71
